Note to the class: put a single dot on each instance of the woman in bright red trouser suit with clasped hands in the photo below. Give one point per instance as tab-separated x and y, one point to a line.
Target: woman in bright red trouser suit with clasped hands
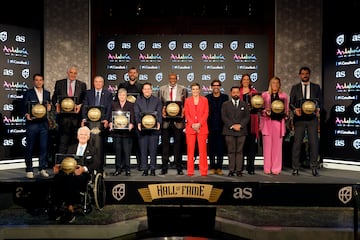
196	110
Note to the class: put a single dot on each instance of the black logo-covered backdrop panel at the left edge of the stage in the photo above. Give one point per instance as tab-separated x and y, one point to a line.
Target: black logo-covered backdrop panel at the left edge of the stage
20	59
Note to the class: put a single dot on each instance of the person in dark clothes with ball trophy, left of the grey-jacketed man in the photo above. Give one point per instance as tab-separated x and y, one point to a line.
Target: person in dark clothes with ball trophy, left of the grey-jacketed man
148	138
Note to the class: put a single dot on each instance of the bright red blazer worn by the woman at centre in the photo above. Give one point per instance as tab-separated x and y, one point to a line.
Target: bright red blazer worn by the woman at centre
196	114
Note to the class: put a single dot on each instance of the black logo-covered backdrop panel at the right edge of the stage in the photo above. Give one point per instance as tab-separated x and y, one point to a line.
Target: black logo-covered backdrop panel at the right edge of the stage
342	97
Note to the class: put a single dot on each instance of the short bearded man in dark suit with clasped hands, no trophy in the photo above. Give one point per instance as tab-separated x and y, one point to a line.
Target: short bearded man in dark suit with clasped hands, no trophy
235	115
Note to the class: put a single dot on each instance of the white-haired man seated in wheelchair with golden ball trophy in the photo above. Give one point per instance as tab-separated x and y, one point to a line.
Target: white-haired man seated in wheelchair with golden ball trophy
72	177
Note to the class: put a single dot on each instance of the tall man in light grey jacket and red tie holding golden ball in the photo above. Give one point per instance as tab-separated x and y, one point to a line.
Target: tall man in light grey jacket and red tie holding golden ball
172	126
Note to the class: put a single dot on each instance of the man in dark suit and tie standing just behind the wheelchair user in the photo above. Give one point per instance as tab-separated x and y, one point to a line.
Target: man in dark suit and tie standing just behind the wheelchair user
98	97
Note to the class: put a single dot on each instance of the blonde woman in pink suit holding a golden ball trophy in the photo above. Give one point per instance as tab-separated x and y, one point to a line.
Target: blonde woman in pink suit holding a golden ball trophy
272	126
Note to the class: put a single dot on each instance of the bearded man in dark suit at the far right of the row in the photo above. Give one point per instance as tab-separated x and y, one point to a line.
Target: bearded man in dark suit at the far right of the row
302	121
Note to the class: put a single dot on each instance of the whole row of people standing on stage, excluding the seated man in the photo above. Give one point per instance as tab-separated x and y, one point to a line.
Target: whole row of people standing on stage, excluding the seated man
212	124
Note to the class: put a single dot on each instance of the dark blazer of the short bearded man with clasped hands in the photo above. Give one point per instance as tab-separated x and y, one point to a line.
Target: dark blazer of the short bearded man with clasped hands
232	115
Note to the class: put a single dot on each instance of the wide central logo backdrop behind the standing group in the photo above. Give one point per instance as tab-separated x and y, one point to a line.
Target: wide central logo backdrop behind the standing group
194	58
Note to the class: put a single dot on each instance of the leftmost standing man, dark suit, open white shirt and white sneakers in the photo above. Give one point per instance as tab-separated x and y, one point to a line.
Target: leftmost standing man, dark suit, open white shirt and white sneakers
37	127
